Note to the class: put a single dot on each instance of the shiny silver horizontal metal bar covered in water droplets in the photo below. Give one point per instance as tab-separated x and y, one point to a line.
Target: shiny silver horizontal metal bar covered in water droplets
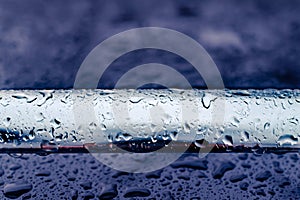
68	120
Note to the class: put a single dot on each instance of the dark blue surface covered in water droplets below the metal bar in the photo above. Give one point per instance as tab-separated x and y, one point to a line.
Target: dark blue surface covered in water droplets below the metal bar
79	176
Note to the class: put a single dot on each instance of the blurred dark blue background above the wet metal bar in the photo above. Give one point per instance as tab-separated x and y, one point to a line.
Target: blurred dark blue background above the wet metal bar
255	44
